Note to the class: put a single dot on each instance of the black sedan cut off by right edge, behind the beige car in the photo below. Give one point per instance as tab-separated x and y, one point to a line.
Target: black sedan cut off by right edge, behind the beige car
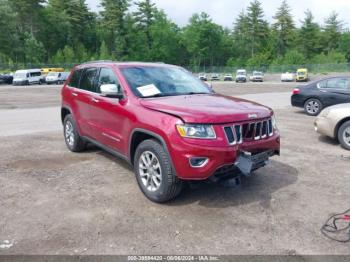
324	93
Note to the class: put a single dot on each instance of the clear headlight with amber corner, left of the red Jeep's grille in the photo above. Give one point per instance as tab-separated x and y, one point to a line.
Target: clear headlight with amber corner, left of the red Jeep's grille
196	131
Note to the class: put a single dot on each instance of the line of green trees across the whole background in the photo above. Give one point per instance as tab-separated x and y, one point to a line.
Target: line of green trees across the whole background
67	31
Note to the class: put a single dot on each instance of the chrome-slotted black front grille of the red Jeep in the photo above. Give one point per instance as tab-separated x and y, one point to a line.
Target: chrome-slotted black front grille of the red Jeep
237	134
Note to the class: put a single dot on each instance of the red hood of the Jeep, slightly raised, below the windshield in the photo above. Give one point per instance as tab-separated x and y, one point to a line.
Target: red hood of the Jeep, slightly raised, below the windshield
208	109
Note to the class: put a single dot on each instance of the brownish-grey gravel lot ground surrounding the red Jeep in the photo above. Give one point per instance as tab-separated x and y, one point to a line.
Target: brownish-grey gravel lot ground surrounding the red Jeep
56	202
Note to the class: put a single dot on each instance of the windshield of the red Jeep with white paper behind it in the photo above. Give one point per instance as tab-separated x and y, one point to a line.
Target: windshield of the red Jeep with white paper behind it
162	81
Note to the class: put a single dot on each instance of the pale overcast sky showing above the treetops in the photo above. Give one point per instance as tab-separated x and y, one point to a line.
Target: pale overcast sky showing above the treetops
224	12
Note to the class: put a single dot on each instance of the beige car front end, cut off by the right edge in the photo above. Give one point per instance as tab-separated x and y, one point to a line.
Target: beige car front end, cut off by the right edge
334	122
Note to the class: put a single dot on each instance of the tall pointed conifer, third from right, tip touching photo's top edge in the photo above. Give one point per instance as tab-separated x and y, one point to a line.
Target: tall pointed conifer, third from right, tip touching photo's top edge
284	28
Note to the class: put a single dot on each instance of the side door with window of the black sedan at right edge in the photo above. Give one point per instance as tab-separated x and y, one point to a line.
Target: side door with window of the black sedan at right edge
335	91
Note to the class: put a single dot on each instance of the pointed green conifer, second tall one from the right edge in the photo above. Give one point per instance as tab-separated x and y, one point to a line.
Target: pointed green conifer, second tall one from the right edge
309	36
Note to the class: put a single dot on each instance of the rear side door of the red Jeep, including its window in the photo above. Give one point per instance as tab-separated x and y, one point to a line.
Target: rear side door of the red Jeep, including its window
83	84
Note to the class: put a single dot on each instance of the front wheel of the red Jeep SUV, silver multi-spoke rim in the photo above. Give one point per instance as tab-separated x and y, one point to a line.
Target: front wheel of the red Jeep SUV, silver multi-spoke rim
162	185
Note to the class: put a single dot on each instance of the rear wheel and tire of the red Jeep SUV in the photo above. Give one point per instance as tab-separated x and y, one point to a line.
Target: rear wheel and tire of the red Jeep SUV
72	138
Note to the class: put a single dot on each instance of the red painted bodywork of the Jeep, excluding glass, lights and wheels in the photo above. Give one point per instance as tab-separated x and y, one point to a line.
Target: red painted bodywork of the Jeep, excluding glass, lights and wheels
111	122
